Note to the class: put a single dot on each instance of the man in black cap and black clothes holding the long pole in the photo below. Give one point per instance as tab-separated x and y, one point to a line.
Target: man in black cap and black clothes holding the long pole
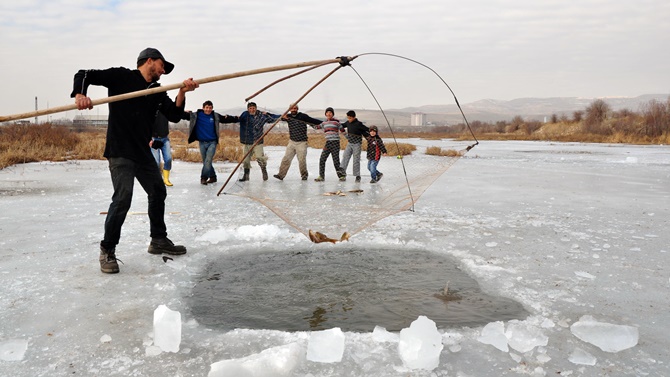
127	146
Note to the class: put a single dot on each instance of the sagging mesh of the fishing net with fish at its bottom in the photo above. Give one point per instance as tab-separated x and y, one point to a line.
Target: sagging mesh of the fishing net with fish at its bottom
333	207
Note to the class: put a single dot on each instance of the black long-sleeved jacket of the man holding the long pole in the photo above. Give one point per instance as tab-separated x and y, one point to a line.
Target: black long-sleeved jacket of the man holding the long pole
130	121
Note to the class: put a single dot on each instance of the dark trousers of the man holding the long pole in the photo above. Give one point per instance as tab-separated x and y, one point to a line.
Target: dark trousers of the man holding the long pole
124	172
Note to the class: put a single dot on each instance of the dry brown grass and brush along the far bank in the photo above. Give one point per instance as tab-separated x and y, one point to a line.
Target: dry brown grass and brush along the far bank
46	142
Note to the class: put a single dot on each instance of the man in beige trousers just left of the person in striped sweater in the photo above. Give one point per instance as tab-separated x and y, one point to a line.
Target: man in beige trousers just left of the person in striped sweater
297	131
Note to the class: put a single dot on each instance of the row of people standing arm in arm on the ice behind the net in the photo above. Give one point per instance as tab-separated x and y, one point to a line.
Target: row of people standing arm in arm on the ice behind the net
252	122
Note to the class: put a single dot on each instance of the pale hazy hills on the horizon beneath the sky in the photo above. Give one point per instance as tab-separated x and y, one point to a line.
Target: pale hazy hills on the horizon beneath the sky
488	110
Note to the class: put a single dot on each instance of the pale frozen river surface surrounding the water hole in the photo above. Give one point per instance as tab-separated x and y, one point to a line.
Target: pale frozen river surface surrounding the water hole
567	230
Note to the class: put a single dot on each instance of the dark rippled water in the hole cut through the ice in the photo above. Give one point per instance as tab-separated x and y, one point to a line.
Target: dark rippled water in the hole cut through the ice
347	288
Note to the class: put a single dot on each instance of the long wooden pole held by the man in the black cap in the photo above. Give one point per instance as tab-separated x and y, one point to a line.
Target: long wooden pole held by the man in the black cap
160	89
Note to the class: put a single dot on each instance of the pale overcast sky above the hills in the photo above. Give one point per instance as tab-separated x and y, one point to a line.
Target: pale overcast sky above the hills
483	49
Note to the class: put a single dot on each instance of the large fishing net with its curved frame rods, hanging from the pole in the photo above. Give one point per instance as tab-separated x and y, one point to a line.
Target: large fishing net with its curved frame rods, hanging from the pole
333	209
